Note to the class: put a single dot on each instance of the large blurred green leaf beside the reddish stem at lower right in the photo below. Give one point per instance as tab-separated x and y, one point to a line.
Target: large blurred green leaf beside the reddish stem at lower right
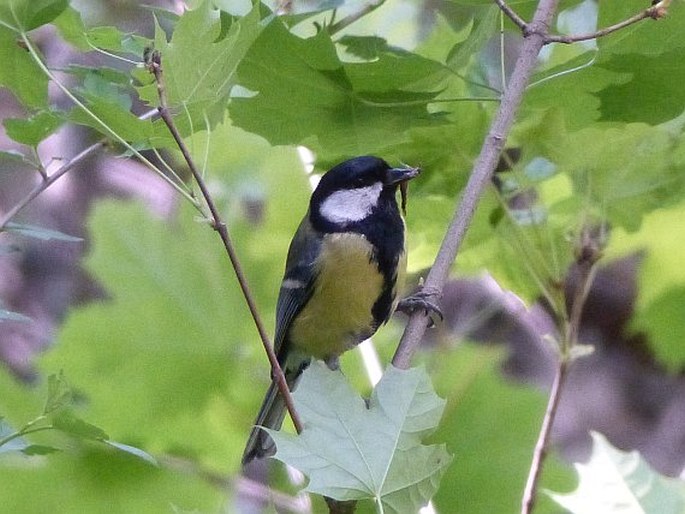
490	423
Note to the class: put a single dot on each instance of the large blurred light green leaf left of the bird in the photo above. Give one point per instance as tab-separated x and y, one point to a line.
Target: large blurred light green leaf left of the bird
150	268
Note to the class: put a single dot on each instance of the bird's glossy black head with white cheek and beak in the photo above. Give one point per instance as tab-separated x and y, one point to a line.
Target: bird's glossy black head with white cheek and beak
351	191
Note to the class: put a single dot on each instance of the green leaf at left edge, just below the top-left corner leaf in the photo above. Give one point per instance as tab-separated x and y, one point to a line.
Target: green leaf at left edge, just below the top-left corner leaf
20	74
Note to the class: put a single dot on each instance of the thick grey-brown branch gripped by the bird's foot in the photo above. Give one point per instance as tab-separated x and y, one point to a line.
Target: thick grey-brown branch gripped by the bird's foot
480	177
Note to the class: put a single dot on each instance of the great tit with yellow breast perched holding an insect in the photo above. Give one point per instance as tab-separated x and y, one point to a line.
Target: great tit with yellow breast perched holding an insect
345	265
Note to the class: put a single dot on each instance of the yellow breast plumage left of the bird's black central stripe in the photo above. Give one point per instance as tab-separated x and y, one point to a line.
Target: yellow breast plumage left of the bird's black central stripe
338	315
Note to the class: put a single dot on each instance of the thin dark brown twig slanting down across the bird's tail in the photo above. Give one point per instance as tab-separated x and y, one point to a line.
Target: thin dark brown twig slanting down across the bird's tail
218	224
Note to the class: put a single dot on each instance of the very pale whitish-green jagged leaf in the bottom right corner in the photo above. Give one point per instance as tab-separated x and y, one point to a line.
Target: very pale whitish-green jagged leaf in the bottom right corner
615	482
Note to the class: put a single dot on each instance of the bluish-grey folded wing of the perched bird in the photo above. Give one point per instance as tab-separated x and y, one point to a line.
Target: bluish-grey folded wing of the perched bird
298	283
